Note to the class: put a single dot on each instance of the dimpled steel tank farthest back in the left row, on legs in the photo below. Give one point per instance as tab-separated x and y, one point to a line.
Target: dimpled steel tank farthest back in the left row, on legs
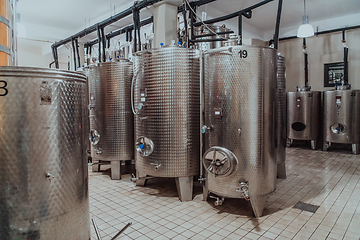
111	118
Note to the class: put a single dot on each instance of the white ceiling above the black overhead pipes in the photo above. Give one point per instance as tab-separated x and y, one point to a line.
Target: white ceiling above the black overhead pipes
74	16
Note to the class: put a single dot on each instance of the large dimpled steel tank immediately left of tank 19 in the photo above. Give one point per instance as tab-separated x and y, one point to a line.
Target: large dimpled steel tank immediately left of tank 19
167	105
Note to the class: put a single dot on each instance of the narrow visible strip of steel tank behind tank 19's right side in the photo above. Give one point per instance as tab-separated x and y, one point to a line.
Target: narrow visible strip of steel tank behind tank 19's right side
281	117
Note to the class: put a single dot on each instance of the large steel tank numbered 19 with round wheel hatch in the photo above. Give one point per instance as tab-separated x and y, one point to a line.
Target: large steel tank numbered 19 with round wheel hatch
239	130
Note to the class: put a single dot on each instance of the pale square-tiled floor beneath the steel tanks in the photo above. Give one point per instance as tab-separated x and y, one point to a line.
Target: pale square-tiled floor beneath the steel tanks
328	179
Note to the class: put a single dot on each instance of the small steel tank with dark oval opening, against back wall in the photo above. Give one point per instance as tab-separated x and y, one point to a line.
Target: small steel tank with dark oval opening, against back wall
304	113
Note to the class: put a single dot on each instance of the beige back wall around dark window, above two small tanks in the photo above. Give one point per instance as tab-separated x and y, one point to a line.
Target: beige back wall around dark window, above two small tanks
321	49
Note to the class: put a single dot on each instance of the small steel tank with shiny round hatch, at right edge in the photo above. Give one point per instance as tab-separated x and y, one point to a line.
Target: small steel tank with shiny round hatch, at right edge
342	117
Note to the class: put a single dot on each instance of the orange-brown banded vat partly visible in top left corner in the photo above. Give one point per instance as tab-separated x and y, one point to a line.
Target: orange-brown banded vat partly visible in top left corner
7	33
